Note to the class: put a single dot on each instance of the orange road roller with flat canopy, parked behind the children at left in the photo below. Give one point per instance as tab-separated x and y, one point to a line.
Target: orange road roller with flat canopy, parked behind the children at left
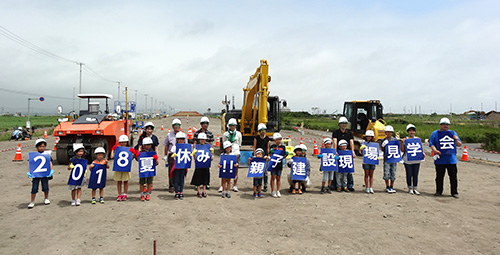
94	128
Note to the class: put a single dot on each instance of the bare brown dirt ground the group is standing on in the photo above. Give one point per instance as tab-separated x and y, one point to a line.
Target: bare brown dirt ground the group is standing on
338	223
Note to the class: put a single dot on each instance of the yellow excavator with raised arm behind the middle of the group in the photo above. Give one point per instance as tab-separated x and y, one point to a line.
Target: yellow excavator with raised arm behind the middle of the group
258	107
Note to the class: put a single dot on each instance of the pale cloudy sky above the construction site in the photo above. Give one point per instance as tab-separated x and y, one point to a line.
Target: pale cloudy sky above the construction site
189	54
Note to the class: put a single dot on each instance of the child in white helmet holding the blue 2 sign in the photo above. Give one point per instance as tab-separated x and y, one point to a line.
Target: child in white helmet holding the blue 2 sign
40	145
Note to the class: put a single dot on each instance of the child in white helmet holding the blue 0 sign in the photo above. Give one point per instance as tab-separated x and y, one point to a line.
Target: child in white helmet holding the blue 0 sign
76	190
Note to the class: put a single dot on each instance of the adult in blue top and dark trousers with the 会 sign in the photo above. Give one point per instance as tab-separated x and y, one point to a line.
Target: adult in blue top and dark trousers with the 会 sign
443	141
